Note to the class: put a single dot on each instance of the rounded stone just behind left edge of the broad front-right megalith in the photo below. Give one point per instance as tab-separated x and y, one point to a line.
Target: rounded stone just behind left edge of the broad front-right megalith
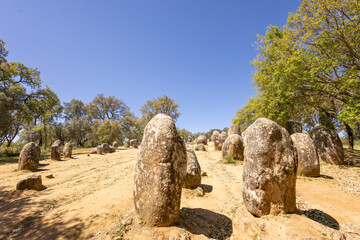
233	147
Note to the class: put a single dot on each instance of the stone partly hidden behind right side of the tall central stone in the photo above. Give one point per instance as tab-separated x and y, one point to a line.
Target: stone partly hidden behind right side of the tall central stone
193	171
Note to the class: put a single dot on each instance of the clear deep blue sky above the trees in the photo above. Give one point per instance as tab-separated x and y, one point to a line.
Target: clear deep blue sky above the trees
195	51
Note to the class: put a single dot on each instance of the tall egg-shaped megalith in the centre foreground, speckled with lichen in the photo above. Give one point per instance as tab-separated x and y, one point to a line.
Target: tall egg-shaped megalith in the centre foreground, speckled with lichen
159	173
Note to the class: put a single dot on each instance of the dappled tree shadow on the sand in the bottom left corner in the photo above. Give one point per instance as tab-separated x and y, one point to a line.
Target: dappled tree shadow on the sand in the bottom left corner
24	215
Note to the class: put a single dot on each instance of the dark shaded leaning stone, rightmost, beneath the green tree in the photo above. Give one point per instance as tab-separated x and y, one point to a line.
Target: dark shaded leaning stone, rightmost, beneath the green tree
328	145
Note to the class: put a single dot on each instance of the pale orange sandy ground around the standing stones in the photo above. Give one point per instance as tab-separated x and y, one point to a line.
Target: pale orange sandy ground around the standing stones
89	197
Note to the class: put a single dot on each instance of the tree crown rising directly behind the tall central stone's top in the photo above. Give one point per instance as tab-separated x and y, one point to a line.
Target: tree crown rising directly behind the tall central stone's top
163	105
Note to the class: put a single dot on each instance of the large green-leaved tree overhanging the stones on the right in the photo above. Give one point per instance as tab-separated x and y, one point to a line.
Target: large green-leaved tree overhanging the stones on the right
309	69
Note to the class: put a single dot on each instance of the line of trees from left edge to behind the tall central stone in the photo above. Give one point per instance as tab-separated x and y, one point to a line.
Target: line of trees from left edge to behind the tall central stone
34	113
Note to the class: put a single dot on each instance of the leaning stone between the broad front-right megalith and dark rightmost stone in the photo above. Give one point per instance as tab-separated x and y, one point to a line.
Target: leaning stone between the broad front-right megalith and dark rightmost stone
308	162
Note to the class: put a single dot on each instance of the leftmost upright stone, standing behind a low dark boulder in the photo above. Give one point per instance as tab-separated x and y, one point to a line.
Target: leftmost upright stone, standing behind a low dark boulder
28	159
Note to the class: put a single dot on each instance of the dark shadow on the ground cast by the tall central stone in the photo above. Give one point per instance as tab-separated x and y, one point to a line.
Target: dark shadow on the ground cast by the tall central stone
200	221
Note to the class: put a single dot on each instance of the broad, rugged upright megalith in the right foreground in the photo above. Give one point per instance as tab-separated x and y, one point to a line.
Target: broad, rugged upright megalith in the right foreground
269	175
